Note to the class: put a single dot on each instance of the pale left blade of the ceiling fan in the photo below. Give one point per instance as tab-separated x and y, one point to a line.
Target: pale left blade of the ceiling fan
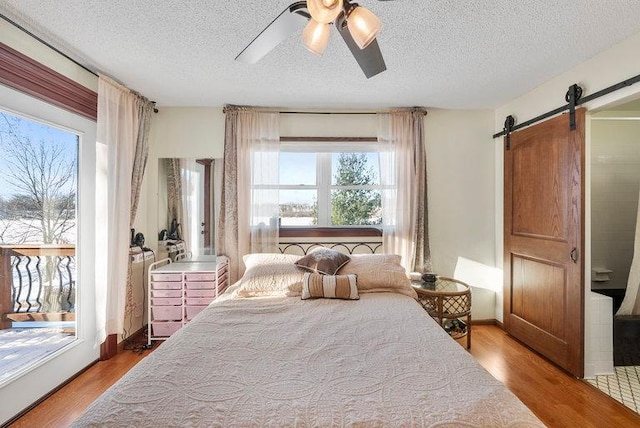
293	18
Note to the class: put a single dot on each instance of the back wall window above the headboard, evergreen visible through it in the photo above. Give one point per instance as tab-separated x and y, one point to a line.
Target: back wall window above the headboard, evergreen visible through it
333	185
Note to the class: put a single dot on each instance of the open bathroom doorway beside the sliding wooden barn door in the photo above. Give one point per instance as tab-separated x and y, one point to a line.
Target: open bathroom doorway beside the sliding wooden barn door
614	186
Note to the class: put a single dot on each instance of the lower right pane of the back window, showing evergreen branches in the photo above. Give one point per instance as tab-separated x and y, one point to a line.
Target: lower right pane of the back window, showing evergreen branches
355	207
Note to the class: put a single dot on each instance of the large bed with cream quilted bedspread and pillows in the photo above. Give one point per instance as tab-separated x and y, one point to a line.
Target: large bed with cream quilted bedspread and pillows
261	355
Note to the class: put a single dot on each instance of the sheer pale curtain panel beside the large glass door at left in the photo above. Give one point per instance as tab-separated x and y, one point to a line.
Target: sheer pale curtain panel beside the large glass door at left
117	134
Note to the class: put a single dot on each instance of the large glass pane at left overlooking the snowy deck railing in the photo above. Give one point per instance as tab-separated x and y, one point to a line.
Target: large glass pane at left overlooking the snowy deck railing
38	188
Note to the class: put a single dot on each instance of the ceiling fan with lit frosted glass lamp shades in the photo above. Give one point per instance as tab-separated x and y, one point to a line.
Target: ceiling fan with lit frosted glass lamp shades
357	25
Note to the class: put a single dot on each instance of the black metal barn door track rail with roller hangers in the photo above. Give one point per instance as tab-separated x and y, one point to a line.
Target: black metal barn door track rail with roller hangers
573	97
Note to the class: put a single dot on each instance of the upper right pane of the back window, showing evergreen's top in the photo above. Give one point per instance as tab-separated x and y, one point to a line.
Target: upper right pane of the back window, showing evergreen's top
359	168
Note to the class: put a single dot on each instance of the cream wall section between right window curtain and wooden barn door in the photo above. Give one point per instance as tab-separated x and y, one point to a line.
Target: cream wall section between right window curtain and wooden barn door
460	174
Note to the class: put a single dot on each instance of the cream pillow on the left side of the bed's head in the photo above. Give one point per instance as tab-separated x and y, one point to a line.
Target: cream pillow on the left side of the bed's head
270	274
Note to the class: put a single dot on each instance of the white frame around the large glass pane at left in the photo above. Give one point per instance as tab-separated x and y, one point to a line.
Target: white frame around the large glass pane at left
44	376
